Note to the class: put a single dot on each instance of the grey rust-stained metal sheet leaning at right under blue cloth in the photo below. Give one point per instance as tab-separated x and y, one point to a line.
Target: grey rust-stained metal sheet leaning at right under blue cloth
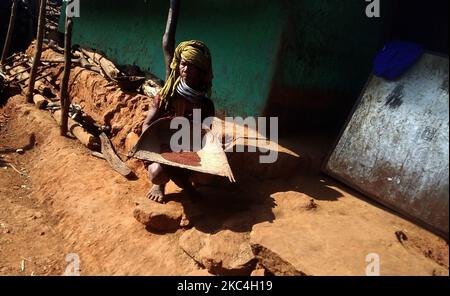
395	147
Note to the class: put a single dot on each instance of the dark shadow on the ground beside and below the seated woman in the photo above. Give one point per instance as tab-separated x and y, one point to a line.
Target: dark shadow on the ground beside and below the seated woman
237	207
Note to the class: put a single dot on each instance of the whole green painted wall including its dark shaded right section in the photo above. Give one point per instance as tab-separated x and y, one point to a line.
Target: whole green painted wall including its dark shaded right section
304	45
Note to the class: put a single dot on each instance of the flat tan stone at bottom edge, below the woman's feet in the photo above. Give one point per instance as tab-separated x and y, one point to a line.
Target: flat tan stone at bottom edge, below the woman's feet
222	253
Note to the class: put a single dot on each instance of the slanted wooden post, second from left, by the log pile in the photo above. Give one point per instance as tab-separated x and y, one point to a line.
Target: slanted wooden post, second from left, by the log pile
38	51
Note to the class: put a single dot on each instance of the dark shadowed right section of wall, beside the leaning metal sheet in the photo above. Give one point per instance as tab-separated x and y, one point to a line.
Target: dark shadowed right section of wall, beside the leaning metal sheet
325	57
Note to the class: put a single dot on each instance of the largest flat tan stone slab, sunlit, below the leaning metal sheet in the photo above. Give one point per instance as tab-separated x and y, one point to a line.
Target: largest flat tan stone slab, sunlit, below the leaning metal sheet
333	245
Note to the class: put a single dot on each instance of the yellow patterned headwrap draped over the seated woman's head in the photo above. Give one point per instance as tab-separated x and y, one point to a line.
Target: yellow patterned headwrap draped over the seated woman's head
194	52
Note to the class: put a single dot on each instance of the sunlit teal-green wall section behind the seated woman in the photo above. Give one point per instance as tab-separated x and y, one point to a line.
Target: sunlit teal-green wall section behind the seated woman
242	35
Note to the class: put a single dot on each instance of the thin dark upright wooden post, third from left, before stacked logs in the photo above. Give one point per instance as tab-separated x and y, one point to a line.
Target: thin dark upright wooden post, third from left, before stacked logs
65	102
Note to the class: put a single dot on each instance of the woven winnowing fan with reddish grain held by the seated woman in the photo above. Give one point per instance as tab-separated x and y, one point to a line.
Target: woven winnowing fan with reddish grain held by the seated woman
154	145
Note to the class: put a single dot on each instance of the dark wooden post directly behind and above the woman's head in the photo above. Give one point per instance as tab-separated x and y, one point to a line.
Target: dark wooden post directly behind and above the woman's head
168	42
